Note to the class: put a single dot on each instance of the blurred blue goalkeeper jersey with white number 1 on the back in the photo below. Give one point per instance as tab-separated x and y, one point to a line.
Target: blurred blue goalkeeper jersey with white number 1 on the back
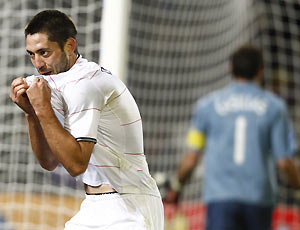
246	130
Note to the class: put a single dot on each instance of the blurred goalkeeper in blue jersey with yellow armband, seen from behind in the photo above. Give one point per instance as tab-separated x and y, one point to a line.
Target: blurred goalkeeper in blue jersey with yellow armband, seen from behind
245	133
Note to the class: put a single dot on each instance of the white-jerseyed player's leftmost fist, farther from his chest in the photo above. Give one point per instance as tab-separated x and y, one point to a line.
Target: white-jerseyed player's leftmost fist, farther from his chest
18	95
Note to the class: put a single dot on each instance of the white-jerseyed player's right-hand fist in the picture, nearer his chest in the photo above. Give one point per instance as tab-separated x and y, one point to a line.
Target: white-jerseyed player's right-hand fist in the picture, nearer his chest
39	95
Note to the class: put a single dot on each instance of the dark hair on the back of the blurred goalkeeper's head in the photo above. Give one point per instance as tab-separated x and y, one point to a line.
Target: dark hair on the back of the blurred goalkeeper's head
246	61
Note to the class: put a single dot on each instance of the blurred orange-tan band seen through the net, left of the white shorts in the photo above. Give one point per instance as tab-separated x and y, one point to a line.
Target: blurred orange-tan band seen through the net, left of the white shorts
38	211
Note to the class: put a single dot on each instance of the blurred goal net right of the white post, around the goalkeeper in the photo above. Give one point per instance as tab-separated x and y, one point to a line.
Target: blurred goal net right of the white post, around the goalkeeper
179	52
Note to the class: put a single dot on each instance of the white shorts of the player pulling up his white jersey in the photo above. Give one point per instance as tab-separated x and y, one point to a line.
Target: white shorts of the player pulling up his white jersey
119	212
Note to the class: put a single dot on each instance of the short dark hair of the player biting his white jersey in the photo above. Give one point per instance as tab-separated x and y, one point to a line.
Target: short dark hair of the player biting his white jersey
57	25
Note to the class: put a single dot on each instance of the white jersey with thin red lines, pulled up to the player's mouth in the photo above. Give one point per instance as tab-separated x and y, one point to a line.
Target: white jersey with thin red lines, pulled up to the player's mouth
93	105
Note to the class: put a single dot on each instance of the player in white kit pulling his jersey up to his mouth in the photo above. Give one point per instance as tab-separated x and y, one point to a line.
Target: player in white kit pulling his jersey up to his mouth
81	116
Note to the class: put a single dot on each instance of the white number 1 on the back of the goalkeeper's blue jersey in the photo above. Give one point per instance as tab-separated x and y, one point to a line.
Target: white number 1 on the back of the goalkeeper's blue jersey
239	140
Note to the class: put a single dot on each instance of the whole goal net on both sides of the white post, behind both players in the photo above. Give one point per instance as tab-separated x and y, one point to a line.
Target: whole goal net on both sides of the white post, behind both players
178	52
